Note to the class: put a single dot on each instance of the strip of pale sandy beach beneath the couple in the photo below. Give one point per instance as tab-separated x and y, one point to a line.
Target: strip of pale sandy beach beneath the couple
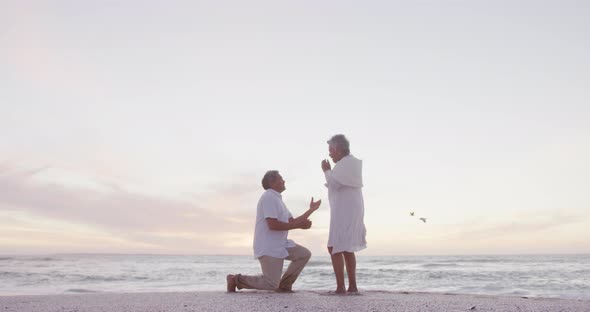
298	301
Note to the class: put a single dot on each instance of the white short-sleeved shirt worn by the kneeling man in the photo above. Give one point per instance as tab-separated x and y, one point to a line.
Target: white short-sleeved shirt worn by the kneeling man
268	242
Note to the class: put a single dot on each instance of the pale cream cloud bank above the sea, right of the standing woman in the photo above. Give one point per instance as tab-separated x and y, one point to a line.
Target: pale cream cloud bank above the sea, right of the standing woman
536	231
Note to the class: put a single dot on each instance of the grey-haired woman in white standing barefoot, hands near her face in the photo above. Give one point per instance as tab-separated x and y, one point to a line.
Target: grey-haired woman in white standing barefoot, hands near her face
347	228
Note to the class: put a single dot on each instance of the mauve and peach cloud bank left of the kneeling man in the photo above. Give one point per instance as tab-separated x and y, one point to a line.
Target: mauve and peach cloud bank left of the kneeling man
145	222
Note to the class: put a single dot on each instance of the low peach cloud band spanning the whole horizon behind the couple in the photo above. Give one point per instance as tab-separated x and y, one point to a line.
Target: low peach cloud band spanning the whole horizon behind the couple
41	214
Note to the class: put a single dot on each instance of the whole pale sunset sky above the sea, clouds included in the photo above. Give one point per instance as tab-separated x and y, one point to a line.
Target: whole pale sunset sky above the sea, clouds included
146	126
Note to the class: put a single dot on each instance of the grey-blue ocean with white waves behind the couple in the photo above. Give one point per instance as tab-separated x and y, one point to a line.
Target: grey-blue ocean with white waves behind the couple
552	276
